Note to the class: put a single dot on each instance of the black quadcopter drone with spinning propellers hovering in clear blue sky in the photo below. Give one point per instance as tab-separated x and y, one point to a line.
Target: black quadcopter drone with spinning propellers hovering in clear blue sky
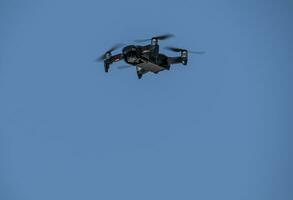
146	58
